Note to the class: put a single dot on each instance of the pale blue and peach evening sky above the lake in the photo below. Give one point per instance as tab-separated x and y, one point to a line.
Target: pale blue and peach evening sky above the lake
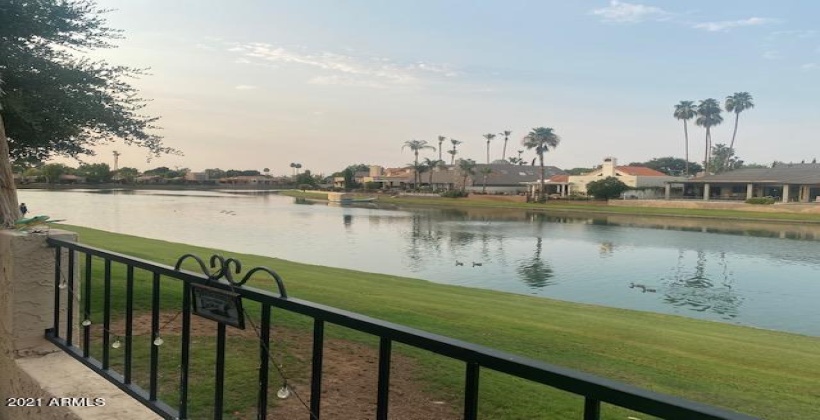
260	84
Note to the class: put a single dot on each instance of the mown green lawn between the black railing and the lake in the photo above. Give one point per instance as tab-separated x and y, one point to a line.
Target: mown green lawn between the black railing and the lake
764	373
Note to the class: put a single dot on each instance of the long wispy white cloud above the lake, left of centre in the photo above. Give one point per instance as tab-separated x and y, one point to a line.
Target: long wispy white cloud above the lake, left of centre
343	69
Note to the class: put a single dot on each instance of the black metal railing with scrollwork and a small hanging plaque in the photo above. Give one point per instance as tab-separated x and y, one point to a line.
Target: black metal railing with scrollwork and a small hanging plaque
595	390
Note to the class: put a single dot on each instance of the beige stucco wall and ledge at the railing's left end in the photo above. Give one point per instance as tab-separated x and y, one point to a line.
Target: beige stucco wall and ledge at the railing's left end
34	373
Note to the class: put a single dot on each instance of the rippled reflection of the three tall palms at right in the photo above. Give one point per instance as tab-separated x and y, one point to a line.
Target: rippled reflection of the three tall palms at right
697	291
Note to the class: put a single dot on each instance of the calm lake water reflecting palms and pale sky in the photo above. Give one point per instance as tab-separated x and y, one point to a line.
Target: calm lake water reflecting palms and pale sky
757	275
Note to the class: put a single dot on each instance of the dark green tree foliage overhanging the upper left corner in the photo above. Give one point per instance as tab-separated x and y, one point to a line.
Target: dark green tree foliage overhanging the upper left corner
54	100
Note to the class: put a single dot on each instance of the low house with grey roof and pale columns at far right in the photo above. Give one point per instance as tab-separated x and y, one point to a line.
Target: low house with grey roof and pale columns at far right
794	182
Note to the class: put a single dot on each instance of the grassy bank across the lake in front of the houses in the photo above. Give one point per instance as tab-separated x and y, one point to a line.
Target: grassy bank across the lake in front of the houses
582	207
